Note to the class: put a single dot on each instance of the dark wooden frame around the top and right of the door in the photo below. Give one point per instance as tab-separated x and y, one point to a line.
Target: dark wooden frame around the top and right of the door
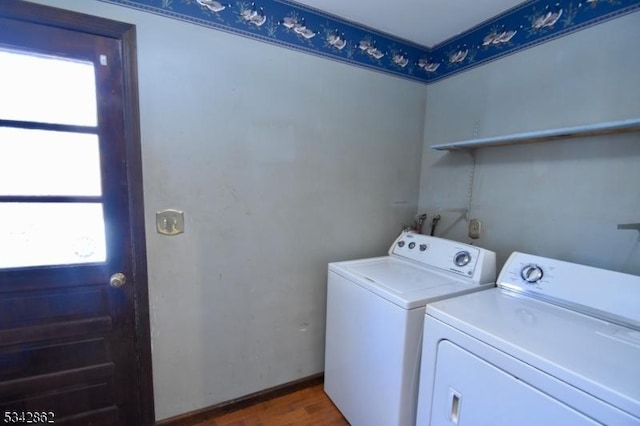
126	35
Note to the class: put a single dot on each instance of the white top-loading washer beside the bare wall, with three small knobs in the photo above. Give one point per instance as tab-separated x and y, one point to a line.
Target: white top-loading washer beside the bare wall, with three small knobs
375	315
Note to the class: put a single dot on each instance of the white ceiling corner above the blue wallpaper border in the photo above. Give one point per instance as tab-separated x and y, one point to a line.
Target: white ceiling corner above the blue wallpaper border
426	22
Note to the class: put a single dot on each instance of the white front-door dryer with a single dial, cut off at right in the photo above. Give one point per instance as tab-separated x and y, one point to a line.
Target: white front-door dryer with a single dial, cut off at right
554	344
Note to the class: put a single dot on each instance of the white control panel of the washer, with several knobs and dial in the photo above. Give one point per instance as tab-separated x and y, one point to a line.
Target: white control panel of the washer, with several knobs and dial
460	259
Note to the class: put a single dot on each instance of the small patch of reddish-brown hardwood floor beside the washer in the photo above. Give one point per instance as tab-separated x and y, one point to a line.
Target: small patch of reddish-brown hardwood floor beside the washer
309	406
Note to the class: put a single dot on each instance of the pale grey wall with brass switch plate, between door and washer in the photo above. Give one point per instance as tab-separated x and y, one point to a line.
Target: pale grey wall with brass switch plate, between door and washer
281	162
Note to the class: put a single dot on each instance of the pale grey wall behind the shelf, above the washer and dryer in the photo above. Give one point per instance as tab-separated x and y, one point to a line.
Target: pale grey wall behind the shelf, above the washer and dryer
559	199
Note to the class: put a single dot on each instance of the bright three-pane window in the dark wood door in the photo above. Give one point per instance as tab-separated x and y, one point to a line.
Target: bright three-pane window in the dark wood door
51	207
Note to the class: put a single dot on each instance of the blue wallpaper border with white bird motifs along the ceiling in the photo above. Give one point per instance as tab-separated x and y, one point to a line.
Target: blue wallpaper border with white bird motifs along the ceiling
298	27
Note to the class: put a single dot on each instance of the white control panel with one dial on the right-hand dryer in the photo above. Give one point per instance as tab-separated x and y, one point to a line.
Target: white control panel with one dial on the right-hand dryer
596	291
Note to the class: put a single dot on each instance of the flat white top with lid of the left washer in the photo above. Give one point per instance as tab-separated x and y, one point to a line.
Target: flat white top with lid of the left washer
403	283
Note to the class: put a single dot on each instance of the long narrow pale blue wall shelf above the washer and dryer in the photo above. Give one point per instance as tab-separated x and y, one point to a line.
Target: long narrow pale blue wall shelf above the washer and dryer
608	128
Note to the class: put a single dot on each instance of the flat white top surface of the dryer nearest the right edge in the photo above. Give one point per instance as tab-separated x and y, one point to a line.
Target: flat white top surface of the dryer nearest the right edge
591	354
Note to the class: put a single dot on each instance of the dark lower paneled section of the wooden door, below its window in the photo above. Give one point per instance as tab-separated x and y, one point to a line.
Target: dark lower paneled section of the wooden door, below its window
55	352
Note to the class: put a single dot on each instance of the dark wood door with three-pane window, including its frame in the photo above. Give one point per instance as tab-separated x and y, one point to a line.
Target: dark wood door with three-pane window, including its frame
74	341
